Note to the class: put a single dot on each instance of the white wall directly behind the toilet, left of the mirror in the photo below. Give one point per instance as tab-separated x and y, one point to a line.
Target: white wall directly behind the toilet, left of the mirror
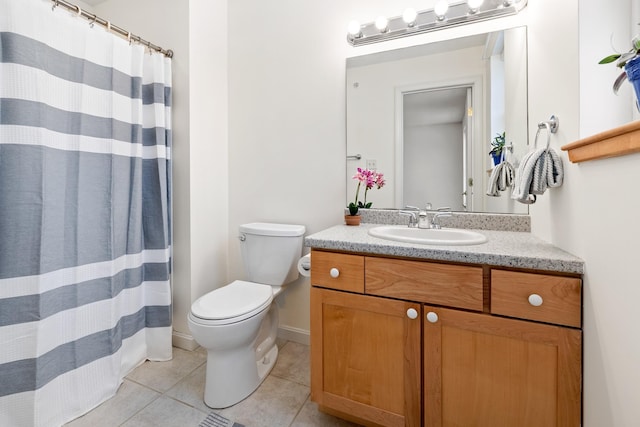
286	124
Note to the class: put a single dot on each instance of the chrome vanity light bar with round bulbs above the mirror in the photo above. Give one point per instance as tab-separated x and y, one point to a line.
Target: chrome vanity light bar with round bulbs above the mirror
446	13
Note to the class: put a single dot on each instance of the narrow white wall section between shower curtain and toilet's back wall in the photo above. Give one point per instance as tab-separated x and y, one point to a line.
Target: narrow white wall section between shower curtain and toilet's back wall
209	153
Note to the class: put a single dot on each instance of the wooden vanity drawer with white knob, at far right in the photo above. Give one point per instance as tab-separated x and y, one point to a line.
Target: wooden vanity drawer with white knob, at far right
559	299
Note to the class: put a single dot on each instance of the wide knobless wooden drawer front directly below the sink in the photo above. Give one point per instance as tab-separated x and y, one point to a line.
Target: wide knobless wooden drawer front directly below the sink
441	284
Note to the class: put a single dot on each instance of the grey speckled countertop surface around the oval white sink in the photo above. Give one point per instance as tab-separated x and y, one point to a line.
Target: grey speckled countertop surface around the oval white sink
503	248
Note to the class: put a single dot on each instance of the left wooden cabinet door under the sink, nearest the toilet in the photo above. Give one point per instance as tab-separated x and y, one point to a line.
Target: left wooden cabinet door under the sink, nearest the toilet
365	358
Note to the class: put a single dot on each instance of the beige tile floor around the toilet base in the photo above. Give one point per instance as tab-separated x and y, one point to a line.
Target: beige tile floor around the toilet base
169	394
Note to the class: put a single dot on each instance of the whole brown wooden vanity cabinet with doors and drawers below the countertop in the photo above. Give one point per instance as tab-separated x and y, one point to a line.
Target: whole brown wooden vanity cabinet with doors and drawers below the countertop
399	342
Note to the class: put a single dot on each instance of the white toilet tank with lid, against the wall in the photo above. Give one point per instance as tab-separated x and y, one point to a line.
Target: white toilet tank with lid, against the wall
270	252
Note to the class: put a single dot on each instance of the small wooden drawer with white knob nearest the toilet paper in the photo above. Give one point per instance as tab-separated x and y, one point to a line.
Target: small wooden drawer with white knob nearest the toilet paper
347	269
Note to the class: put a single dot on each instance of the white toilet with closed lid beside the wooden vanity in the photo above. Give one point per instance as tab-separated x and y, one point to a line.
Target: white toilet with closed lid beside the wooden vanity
237	323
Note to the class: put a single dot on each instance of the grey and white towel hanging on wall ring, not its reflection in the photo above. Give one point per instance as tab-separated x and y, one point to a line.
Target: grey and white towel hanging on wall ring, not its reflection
540	169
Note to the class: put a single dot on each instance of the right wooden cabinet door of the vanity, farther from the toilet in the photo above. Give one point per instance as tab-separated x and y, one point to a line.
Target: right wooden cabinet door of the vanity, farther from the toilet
481	370
